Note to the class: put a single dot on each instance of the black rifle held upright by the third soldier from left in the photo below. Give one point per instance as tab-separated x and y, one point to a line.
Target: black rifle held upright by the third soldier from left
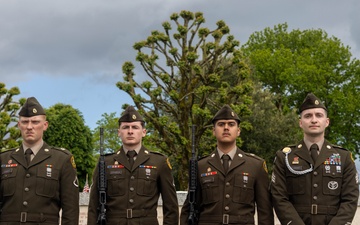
193	169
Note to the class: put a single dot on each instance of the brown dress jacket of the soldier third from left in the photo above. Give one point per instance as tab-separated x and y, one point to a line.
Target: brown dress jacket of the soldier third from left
231	198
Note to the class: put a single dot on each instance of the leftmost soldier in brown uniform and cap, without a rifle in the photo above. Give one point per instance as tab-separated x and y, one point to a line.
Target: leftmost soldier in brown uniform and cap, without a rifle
37	180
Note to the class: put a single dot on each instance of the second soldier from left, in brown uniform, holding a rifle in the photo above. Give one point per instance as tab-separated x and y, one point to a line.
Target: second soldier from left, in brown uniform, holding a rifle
136	178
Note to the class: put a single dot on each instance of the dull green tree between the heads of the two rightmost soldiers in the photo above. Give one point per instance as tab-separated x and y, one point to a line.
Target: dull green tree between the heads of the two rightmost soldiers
270	129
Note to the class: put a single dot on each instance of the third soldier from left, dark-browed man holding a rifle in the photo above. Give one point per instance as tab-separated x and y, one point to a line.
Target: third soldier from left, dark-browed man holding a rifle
232	183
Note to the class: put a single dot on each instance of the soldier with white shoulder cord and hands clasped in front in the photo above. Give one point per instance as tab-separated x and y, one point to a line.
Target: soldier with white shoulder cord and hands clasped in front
314	182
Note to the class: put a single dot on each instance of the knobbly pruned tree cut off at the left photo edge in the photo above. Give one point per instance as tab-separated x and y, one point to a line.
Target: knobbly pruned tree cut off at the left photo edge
9	134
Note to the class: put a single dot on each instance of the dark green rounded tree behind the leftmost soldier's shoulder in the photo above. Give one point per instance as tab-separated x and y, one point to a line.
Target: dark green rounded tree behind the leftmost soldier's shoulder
67	130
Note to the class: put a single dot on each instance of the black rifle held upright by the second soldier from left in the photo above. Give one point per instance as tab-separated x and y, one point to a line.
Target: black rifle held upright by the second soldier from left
102	182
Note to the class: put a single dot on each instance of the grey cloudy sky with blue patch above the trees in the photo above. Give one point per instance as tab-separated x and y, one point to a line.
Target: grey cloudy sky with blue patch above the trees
72	52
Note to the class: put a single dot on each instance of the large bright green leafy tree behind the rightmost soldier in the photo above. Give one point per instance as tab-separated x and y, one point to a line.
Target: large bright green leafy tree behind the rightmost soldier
291	64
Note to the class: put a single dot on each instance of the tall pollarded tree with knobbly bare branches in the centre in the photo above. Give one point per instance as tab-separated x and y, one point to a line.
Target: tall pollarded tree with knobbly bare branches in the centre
189	78
